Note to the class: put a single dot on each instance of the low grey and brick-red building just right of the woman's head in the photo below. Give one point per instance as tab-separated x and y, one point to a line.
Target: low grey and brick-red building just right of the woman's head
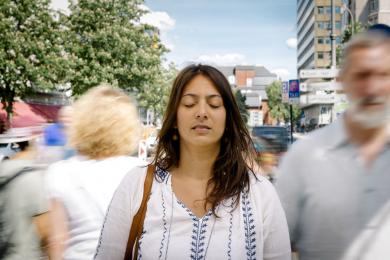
252	81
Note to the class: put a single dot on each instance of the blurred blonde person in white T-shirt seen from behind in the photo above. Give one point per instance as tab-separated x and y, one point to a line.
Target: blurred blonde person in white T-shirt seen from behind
104	130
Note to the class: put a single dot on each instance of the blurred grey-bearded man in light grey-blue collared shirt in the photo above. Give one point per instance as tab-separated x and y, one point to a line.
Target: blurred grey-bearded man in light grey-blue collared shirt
335	182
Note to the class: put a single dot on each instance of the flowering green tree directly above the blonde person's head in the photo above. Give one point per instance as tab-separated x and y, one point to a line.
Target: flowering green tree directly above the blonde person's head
107	43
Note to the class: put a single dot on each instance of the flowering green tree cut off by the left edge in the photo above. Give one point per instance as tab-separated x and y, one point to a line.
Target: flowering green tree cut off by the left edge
31	52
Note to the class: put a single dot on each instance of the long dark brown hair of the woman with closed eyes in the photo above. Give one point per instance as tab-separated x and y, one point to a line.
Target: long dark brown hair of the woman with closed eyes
230	173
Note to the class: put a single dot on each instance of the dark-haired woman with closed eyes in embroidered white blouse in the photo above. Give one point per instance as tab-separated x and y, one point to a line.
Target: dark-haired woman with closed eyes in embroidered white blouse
202	140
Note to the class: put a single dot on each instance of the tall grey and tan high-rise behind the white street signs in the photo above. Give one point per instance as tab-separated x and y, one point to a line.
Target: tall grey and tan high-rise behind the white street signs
314	31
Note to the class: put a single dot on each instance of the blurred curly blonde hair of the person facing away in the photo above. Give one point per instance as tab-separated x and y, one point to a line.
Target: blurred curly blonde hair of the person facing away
104	123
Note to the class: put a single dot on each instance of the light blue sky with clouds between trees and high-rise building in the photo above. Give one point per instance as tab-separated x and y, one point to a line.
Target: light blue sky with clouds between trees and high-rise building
226	32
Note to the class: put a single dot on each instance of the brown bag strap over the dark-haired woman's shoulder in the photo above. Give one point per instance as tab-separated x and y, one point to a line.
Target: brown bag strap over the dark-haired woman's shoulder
138	220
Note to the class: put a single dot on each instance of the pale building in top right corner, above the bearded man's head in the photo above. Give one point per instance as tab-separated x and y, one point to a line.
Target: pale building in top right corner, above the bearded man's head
370	11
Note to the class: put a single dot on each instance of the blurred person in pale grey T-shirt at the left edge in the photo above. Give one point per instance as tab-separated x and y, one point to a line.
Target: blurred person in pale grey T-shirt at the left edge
24	205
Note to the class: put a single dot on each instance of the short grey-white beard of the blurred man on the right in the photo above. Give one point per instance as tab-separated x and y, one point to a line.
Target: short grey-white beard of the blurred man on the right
369	118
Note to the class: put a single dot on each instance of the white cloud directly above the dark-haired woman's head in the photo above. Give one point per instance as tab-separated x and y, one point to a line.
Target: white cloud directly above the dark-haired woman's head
228	59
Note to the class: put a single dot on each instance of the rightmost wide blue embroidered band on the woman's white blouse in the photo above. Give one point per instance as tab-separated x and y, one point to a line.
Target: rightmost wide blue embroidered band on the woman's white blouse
249	223
